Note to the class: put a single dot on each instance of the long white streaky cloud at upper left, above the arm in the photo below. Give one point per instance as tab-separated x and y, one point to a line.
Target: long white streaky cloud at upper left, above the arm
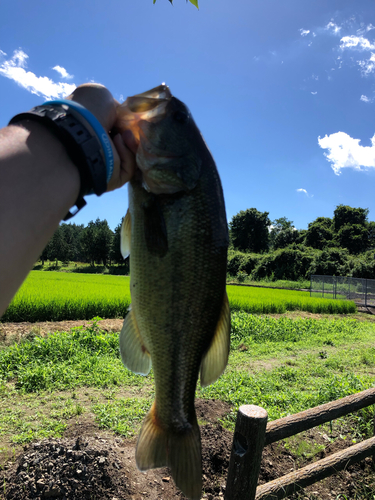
14	69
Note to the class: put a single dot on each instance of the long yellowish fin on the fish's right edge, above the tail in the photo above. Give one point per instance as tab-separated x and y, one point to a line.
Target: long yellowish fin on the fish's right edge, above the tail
216	358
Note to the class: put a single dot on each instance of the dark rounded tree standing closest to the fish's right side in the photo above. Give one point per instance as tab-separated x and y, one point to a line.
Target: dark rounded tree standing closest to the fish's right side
249	230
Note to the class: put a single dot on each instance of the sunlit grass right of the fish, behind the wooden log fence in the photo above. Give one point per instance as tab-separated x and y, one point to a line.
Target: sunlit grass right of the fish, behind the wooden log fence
313	362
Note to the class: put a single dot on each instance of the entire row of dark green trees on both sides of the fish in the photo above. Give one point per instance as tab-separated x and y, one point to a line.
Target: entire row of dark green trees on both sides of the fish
343	245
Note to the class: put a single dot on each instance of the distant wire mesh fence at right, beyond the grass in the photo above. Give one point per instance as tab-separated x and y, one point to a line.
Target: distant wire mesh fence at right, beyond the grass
361	290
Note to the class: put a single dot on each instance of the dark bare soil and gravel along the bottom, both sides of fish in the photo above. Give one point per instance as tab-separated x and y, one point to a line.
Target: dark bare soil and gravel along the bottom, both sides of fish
92	464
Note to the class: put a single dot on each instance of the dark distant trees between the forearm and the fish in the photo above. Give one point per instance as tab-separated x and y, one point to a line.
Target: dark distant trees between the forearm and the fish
95	244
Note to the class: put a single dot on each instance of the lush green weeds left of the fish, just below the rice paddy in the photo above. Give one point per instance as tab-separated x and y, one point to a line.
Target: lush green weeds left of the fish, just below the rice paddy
64	360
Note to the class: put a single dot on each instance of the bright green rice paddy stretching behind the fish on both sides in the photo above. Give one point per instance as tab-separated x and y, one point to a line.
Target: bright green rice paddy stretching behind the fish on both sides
67	296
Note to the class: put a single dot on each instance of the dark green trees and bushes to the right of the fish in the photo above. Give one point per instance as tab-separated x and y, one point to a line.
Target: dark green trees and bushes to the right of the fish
343	245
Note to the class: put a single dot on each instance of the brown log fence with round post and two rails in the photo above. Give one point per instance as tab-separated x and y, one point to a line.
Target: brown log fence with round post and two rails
252	433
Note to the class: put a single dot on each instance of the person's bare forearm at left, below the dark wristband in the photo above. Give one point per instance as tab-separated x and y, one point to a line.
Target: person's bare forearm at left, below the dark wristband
38	185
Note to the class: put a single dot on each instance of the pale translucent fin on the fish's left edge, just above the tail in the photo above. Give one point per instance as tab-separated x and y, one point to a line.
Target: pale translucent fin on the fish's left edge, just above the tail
134	354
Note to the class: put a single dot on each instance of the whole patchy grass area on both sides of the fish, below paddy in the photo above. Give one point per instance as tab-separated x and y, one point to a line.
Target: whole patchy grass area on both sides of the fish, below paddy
283	364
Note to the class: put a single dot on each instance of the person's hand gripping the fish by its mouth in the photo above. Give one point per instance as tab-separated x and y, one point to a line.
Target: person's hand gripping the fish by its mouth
100	102
